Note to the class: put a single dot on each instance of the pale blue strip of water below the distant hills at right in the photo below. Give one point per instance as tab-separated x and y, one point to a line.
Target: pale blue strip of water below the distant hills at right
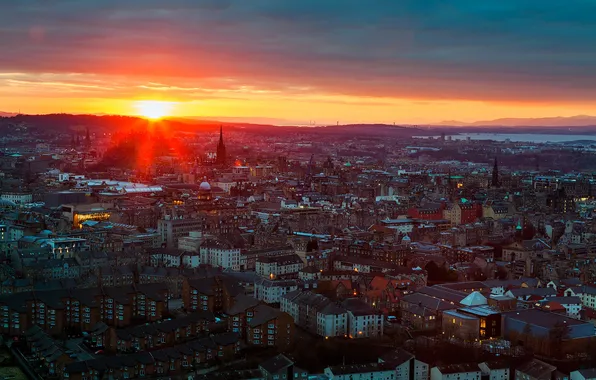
520	137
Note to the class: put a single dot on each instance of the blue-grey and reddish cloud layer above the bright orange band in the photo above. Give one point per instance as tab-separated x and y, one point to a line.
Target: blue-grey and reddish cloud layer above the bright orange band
492	49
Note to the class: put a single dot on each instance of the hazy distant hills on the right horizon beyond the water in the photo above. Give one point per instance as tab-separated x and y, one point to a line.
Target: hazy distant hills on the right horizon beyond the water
556	122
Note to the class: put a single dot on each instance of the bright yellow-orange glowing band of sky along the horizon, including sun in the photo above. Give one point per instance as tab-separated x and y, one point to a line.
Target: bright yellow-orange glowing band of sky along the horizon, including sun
118	95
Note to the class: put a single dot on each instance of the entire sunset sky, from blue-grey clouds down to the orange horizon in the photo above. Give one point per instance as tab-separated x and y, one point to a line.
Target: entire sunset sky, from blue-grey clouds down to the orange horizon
301	61
